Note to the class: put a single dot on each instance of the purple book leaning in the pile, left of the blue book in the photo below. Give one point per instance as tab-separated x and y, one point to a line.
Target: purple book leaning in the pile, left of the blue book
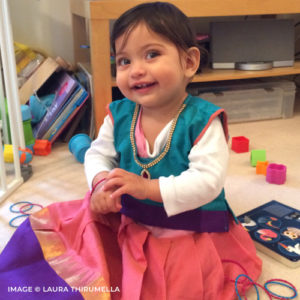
62	85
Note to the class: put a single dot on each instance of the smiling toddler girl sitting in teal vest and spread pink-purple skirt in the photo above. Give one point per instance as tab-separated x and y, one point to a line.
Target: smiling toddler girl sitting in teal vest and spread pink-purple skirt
155	224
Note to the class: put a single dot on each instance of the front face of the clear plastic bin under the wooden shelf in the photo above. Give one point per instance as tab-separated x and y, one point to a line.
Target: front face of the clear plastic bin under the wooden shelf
248	105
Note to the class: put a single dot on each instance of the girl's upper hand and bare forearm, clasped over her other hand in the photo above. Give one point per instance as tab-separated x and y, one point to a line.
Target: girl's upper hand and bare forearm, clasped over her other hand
124	182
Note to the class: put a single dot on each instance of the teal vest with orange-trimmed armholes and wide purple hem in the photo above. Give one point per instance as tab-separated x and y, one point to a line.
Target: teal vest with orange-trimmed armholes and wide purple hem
191	125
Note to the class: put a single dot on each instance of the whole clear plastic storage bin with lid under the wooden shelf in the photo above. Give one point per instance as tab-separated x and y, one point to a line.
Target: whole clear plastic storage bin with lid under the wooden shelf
248	88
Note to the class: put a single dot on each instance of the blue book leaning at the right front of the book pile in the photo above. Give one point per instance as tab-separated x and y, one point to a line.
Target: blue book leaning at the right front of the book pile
68	112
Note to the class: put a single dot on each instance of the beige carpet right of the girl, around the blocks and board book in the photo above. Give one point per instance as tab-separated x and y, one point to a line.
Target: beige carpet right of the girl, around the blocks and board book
245	190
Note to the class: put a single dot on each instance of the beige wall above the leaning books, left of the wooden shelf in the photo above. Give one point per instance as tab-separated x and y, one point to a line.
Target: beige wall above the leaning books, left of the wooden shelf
44	25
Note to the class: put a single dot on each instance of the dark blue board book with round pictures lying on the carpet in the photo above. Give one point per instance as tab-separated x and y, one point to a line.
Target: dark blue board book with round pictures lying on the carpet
275	229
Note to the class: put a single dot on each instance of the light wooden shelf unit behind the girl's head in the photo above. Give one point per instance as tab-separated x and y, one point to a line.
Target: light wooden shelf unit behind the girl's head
91	26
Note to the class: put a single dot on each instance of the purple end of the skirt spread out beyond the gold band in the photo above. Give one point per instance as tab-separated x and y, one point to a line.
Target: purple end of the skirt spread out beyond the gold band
24	274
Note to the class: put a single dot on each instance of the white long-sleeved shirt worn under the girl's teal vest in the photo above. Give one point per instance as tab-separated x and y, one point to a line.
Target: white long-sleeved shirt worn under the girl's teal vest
201	183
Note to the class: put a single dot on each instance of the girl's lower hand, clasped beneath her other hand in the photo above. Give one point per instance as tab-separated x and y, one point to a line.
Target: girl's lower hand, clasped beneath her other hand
102	202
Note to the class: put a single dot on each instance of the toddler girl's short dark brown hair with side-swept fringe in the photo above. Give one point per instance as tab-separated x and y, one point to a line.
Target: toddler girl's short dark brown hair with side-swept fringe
162	18
